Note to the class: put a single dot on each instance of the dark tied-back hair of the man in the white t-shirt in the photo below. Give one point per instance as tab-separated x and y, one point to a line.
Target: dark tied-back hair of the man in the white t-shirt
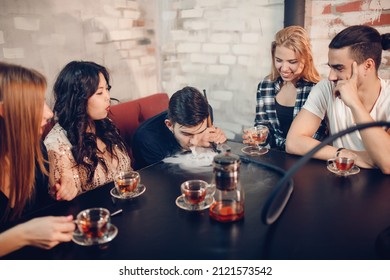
364	42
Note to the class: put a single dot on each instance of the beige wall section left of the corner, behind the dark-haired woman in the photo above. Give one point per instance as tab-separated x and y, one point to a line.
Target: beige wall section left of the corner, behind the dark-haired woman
47	34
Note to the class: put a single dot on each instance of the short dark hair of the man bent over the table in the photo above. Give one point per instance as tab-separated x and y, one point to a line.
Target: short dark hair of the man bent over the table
188	107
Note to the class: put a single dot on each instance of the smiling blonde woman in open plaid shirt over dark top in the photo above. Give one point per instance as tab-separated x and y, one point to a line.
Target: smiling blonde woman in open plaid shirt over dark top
281	95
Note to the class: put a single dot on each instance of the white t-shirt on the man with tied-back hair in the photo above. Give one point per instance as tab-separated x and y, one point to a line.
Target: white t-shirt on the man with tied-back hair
322	101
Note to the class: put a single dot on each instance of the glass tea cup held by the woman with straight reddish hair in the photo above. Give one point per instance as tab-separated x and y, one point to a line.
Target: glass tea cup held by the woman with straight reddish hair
93	223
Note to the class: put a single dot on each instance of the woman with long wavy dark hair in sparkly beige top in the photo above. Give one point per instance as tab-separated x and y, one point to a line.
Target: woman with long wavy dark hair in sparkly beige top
85	148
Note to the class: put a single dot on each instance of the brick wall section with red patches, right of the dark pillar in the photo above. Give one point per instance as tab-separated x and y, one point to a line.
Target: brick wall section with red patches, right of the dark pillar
324	19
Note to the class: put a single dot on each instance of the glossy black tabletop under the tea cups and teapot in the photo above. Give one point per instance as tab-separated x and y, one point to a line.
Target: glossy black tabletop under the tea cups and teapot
327	217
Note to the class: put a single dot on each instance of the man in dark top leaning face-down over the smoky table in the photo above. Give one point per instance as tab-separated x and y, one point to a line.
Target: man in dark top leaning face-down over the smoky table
184	125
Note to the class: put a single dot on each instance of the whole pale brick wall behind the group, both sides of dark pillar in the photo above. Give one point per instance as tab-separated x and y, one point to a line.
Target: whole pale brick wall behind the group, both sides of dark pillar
222	46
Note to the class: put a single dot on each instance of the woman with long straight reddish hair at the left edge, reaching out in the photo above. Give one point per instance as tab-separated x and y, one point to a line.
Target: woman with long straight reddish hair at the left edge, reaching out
23	172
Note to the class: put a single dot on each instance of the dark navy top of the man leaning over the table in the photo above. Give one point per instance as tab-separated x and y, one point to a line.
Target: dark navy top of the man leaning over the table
153	141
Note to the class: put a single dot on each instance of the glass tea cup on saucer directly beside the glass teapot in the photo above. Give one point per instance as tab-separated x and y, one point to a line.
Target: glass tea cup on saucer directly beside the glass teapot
195	192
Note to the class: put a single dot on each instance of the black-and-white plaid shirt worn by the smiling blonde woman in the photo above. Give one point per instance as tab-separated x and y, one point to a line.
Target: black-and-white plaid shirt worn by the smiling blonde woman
266	111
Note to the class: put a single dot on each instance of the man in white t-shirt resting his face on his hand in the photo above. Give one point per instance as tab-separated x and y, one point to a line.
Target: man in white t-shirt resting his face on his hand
353	94
